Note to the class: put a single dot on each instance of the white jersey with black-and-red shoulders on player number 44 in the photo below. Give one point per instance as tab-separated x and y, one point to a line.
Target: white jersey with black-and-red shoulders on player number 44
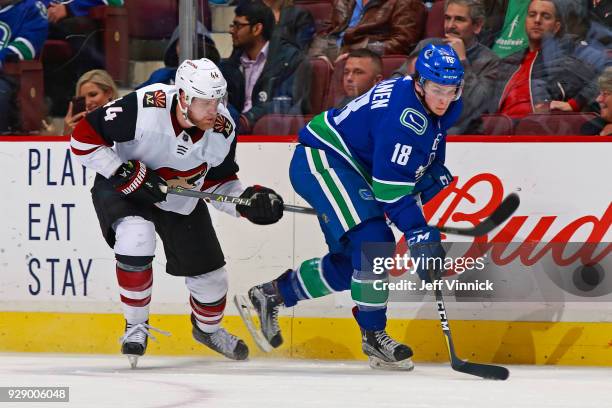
143	126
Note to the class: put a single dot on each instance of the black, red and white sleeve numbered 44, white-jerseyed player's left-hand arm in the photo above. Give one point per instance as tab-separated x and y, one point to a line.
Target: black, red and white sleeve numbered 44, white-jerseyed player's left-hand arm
93	137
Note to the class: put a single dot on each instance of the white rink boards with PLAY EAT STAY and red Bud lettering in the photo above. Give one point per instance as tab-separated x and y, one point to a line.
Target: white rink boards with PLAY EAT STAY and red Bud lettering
555	248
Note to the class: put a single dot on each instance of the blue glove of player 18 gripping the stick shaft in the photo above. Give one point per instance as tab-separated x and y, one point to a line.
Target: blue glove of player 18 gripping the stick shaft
426	251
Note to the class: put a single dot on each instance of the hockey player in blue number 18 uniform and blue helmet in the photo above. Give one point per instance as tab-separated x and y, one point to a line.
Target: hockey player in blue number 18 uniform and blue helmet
382	154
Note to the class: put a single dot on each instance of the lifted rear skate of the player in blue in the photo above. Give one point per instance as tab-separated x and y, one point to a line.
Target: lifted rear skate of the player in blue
266	301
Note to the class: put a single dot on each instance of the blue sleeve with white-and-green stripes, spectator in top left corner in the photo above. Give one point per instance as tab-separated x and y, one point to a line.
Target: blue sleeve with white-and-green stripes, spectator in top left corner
26	43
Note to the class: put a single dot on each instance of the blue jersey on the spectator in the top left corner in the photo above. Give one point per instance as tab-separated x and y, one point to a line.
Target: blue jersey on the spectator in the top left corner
23	29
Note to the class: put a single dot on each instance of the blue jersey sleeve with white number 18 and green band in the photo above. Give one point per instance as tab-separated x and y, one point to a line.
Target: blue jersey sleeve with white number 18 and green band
397	161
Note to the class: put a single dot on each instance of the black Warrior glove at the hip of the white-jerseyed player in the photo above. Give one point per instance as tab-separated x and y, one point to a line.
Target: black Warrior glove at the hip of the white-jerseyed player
138	183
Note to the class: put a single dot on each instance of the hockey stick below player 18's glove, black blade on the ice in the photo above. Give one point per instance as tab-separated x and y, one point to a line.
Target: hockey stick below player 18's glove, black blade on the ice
488	371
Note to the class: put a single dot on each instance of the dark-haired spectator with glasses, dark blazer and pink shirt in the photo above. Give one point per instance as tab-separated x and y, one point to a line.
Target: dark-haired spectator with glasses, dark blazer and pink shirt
261	68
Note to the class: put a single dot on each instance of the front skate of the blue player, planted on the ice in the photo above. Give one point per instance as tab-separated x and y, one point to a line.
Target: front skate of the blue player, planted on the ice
384	352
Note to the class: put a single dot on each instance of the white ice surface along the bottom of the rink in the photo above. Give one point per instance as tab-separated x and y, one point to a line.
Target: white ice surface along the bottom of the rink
165	382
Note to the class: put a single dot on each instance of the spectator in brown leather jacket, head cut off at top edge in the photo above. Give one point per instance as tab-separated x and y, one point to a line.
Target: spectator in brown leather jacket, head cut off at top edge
385	27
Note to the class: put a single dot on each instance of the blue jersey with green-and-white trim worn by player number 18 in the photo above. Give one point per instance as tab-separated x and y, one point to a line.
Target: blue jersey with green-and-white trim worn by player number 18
389	138
